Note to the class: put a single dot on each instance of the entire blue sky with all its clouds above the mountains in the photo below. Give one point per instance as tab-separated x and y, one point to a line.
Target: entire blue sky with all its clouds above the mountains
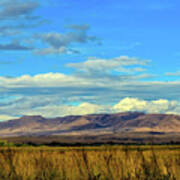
67	57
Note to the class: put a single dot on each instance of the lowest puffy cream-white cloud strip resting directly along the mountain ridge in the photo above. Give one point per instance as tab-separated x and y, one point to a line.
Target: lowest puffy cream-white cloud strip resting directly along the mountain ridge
125	105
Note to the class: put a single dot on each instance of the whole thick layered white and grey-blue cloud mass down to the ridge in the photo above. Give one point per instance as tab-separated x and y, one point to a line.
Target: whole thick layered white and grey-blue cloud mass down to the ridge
96	86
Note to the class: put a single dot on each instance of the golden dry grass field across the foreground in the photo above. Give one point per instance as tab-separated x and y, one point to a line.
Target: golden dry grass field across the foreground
90	163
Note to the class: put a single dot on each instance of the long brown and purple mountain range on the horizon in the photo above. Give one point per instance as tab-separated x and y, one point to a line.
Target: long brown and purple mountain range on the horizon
96	124
